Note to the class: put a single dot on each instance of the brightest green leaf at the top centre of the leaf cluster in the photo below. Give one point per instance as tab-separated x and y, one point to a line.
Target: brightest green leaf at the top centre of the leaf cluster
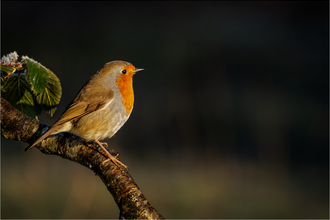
38	75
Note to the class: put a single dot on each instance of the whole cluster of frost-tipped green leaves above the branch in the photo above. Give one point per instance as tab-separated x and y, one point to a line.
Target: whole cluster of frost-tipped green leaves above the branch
29	86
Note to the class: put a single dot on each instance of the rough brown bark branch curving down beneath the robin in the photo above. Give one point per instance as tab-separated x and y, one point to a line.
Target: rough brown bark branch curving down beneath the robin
129	198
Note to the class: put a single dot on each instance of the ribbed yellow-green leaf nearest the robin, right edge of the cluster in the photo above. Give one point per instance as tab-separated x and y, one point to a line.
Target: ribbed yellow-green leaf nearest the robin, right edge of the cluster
50	97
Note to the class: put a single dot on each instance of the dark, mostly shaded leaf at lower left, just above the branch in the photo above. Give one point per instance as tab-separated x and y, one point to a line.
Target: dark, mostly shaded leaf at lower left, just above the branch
18	93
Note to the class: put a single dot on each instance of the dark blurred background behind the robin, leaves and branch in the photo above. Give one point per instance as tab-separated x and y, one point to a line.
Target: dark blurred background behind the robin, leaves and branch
230	117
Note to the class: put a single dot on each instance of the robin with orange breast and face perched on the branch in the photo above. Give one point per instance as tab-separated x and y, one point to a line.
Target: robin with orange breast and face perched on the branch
101	107
